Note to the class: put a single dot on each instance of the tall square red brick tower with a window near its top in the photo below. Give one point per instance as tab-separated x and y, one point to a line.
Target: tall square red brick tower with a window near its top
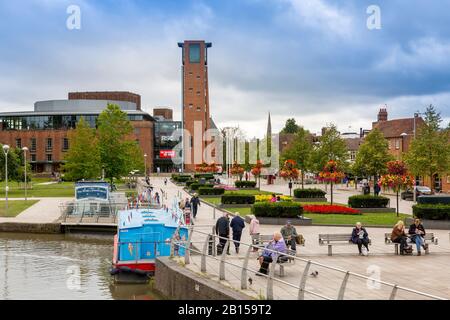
195	100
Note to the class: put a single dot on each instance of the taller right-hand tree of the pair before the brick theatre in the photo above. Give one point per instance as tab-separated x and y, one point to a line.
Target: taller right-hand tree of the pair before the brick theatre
119	154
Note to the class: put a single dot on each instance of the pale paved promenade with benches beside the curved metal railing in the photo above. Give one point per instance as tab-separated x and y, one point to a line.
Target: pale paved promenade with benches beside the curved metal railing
427	273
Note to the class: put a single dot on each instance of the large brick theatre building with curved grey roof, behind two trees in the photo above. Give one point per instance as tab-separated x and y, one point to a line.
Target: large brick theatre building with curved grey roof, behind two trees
44	131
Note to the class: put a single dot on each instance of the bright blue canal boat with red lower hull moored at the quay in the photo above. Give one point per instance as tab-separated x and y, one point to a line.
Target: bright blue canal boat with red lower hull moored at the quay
142	236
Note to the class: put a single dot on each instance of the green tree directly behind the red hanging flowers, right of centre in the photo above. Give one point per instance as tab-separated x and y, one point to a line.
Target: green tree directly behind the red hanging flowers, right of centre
330	147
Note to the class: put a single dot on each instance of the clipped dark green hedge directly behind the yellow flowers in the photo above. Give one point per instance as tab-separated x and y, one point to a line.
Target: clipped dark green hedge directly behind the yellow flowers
277	209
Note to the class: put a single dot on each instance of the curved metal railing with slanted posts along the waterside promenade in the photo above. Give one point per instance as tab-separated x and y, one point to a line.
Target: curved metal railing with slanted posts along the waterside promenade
300	287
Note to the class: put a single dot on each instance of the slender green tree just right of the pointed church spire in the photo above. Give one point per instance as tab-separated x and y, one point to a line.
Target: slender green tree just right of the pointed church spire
301	151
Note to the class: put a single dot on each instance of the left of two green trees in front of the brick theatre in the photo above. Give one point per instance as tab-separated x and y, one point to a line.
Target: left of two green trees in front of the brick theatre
82	161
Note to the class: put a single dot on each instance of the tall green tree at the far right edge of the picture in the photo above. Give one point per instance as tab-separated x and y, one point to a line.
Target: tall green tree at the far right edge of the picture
429	154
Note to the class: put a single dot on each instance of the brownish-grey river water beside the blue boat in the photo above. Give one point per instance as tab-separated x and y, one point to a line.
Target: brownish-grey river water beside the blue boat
67	267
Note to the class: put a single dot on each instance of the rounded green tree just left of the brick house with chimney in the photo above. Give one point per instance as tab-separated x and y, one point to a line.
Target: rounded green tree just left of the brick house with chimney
372	156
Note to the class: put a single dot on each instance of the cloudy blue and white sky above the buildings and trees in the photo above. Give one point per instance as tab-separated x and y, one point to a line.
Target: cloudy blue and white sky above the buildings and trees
312	60
